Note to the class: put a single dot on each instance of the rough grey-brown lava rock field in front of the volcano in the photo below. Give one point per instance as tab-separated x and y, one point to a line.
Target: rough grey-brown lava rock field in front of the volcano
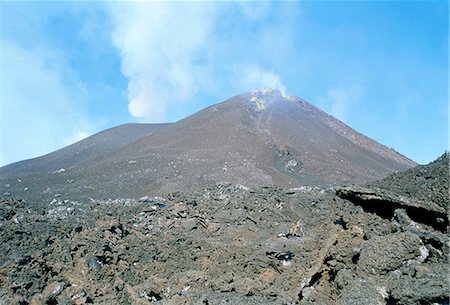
384	243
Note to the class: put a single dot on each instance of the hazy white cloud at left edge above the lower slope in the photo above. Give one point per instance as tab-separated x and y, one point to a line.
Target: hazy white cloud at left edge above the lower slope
37	104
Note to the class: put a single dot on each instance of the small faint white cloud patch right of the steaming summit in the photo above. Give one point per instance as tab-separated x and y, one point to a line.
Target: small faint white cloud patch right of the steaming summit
339	101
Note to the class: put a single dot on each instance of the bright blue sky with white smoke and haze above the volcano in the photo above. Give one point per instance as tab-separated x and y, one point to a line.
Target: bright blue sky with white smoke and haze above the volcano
70	69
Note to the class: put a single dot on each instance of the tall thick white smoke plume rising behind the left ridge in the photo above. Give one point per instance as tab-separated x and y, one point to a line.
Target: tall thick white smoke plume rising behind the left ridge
158	45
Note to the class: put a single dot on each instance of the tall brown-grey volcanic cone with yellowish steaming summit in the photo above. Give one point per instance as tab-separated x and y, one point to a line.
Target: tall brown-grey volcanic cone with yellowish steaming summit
256	138
